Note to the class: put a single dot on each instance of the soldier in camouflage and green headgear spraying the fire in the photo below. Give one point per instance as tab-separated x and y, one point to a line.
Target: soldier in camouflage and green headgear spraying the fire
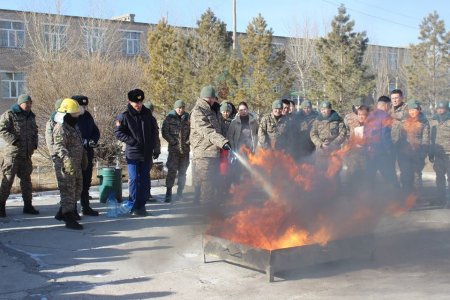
206	141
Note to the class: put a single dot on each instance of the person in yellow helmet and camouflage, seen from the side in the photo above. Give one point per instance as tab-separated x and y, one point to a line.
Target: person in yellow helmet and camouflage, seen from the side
69	160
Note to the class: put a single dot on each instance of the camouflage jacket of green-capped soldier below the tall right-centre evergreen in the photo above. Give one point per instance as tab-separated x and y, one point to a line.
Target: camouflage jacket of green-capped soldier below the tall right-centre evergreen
330	130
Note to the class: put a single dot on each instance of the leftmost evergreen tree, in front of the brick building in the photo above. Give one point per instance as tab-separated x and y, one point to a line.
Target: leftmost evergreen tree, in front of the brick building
163	75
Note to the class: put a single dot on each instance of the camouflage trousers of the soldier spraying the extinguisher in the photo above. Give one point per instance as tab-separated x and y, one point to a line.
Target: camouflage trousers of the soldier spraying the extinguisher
207	178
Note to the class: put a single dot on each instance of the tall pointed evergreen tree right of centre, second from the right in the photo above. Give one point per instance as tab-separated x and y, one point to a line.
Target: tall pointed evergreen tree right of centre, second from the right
342	75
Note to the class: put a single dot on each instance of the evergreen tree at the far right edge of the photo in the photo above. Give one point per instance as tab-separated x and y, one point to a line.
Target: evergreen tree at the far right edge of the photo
429	71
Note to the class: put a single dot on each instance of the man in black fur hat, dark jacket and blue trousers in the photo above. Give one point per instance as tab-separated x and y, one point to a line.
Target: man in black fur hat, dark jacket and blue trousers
137	128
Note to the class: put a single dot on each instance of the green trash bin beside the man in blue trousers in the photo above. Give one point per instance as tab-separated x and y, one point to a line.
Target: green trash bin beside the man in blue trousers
110	181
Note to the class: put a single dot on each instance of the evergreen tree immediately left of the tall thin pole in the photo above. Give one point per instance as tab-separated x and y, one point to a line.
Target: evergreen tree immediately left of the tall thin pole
208	53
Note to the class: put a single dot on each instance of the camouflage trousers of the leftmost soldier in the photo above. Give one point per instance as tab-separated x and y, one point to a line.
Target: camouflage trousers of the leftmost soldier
22	167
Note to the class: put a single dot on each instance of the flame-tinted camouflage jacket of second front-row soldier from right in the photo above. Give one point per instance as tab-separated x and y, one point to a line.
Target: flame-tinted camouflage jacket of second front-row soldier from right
415	135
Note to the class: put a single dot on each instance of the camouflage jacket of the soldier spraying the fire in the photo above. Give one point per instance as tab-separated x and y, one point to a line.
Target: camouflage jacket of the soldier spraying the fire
206	133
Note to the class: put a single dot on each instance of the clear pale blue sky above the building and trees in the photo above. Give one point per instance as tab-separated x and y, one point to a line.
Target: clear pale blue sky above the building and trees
389	23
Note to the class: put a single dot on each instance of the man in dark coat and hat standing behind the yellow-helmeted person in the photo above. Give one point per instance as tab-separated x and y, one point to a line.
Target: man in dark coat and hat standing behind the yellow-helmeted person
90	135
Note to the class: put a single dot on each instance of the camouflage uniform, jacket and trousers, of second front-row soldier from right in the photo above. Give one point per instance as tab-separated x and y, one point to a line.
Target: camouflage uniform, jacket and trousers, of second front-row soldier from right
413	146
